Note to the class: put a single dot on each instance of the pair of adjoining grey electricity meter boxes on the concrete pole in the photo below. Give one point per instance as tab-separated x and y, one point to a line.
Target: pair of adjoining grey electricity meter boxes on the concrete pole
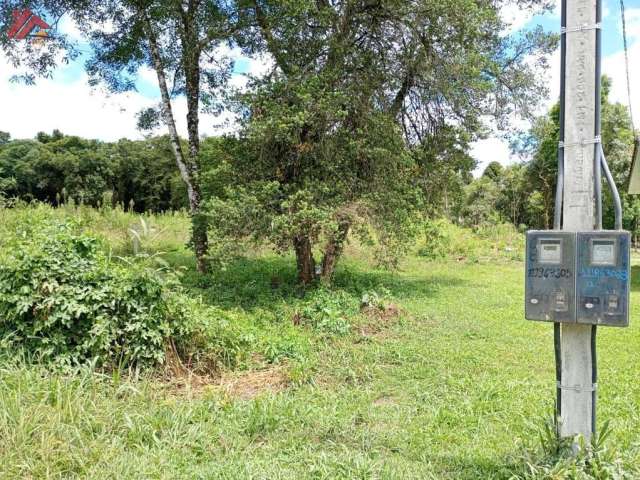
578	277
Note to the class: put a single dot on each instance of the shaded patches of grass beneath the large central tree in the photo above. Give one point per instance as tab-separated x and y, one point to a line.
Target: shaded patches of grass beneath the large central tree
269	282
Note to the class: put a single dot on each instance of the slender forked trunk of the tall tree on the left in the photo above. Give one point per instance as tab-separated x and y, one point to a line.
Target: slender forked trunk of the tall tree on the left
188	171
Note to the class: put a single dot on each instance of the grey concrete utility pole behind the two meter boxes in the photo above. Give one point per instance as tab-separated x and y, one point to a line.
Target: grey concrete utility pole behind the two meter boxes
577	405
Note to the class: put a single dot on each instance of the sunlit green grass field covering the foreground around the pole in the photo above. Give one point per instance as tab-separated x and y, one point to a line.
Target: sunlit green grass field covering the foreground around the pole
458	386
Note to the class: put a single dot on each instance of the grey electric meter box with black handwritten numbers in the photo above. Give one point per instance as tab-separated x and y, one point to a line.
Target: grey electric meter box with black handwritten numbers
550	276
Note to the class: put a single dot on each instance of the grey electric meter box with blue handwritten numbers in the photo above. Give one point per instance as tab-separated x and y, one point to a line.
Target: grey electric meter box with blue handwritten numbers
603	275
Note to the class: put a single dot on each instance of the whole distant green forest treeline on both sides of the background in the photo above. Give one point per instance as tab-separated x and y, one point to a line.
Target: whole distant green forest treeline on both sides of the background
141	175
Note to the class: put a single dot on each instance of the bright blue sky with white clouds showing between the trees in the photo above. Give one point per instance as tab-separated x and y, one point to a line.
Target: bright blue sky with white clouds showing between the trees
66	101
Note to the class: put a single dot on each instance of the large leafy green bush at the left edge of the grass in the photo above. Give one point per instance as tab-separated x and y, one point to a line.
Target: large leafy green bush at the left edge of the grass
63	300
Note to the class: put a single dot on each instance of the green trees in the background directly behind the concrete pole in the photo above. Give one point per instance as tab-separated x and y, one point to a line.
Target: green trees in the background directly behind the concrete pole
526	191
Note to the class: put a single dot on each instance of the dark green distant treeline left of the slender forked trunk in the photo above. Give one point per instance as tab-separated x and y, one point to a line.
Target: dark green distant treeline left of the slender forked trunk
57	168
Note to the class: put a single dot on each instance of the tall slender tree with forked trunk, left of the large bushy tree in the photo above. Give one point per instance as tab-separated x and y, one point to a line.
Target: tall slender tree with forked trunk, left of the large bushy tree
180	39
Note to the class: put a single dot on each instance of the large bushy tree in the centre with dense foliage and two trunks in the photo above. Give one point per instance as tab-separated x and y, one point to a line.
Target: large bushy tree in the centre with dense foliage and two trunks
355	87
